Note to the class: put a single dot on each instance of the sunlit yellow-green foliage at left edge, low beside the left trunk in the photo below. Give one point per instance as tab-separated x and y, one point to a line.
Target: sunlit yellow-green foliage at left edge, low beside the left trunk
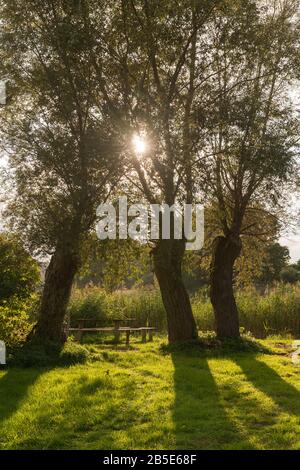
15	321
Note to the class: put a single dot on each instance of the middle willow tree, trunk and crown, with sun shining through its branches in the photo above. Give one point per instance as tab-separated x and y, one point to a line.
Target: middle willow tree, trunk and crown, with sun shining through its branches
154	49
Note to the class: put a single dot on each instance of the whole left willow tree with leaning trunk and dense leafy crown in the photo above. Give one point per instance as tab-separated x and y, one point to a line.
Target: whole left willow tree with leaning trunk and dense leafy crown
62	157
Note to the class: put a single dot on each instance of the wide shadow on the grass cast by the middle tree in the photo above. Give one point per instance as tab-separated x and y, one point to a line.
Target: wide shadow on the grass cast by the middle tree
199	416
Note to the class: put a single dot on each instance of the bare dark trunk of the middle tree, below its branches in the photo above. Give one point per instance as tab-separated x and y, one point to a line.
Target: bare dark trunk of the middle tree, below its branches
167	257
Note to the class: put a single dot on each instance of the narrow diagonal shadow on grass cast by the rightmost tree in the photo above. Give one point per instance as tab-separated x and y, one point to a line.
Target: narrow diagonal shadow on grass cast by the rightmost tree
266	379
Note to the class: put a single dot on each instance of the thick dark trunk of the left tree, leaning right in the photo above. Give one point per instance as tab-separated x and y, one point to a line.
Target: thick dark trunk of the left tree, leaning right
56	294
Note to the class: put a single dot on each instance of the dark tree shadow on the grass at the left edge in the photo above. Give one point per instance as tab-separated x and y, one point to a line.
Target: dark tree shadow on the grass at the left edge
14	385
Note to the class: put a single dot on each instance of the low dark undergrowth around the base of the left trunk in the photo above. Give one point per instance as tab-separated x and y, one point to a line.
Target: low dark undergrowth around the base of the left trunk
48	355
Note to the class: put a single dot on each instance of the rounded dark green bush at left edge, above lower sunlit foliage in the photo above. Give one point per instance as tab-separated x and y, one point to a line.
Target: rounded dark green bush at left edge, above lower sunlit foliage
19	272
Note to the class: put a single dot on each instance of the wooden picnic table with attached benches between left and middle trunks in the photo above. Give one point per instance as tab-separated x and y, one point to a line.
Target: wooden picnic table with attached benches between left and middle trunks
116	329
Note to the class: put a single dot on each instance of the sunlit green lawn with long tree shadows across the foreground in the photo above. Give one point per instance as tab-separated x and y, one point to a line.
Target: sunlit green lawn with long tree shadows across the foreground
143	399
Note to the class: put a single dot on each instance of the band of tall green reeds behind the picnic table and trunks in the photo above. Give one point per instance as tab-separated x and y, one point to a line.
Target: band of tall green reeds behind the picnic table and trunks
275	312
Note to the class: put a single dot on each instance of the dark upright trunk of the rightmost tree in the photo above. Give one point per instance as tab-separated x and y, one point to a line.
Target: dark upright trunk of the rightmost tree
225	251
